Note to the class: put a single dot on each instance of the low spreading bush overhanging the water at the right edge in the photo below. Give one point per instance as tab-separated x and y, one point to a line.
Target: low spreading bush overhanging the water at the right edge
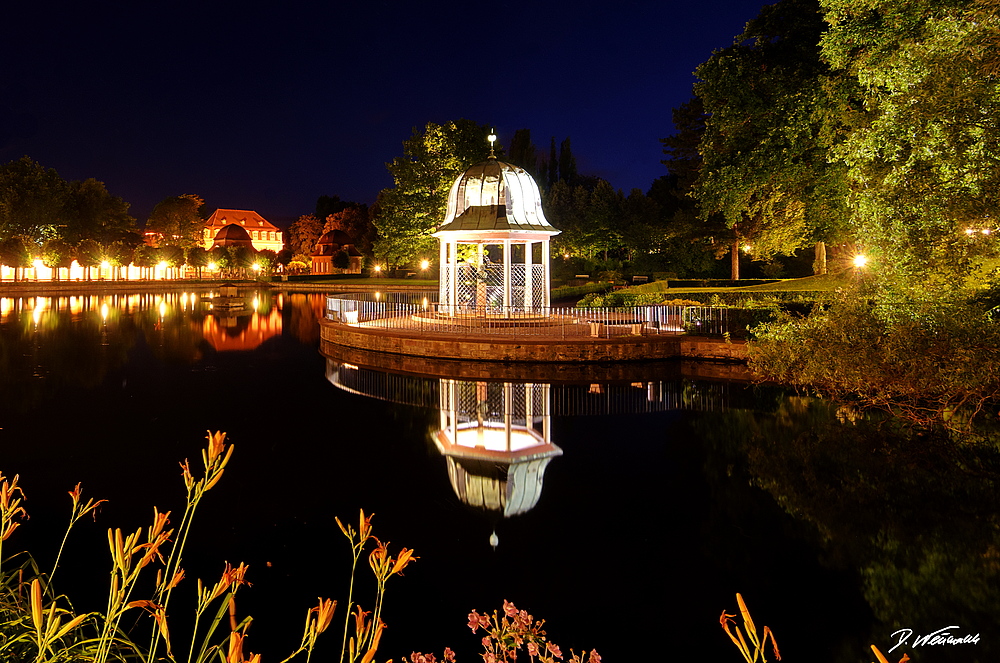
931	362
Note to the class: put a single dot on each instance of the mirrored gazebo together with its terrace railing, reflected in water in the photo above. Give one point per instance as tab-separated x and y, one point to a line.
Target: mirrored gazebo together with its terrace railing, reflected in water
496	435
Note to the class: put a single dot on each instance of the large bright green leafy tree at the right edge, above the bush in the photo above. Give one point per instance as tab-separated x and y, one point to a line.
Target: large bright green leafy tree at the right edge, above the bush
918	98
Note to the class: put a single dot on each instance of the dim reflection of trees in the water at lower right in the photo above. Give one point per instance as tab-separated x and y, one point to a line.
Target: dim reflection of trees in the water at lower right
915	514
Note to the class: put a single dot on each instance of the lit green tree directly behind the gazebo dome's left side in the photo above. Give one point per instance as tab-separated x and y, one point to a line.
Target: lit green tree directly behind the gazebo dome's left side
408	213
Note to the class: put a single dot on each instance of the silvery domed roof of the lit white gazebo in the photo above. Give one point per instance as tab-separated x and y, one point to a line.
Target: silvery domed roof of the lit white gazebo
492	195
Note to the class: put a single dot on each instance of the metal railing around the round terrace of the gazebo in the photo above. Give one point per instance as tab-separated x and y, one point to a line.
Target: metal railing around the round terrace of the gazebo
551	322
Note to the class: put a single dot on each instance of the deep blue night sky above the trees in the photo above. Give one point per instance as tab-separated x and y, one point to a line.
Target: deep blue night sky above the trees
267	106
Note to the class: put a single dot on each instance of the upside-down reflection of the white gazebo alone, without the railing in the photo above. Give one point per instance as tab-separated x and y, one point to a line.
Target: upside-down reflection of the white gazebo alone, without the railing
497	441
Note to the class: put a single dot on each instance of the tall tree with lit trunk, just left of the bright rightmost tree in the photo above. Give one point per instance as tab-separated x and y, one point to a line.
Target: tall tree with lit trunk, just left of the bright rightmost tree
765	169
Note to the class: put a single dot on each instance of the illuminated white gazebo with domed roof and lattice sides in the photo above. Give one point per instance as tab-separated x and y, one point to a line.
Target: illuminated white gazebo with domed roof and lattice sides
494	244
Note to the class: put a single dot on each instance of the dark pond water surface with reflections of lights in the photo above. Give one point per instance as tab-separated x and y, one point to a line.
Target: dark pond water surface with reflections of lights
669	495
